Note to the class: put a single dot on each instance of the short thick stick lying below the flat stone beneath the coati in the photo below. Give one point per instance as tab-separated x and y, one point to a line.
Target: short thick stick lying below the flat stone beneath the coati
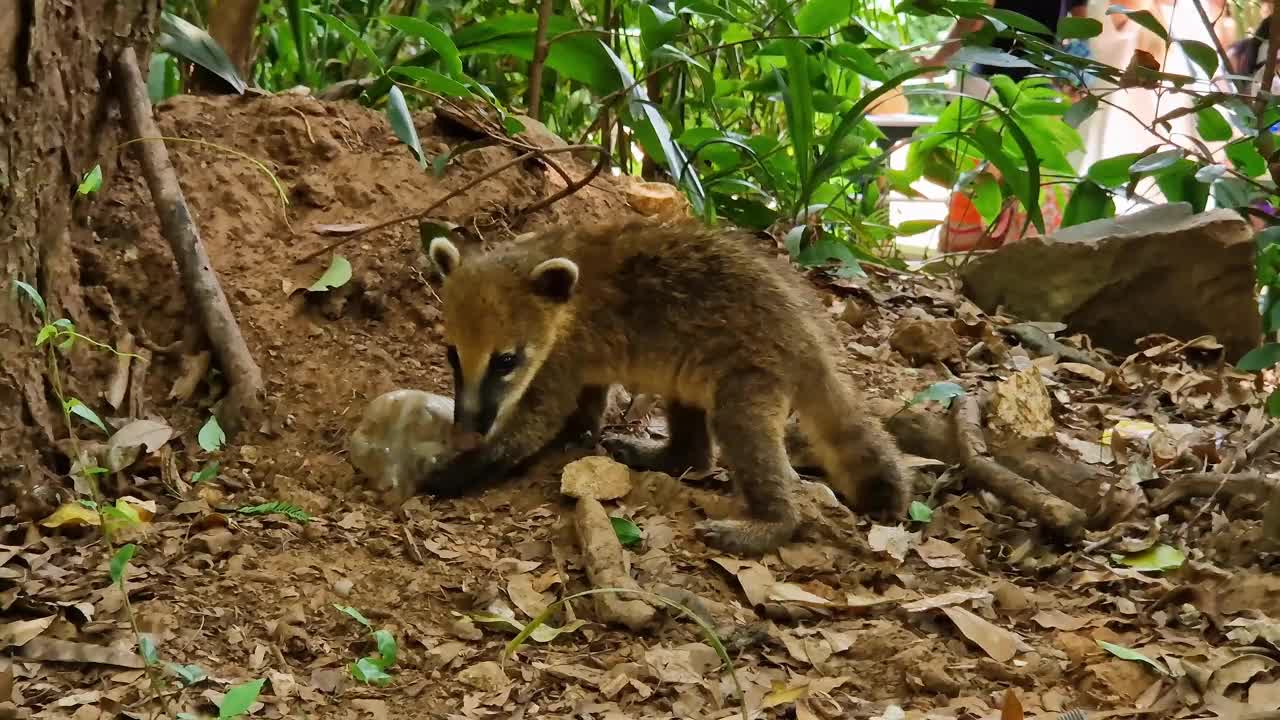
602	554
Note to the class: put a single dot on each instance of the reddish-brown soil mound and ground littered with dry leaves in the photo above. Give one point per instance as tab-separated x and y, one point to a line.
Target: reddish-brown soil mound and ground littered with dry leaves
941	618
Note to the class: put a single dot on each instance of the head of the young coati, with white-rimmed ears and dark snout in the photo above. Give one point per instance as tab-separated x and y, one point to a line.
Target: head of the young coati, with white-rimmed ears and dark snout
501	320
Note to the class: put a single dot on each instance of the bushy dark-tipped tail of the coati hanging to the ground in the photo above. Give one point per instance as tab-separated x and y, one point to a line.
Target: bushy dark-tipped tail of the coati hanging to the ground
863	463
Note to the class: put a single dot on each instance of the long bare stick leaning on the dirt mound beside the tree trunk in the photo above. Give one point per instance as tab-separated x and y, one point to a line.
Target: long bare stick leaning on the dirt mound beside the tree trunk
199	280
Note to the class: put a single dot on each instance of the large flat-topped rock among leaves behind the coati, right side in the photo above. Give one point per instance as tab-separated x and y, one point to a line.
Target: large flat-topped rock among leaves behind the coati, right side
1159	271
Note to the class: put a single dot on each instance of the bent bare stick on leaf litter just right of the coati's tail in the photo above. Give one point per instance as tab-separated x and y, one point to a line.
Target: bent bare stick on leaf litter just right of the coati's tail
1057	514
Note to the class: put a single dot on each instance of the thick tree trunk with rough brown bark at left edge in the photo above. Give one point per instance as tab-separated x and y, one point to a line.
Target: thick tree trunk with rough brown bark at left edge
56	106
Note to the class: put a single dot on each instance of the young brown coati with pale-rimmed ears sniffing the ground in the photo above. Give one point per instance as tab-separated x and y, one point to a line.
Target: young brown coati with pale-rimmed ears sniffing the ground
540	330
